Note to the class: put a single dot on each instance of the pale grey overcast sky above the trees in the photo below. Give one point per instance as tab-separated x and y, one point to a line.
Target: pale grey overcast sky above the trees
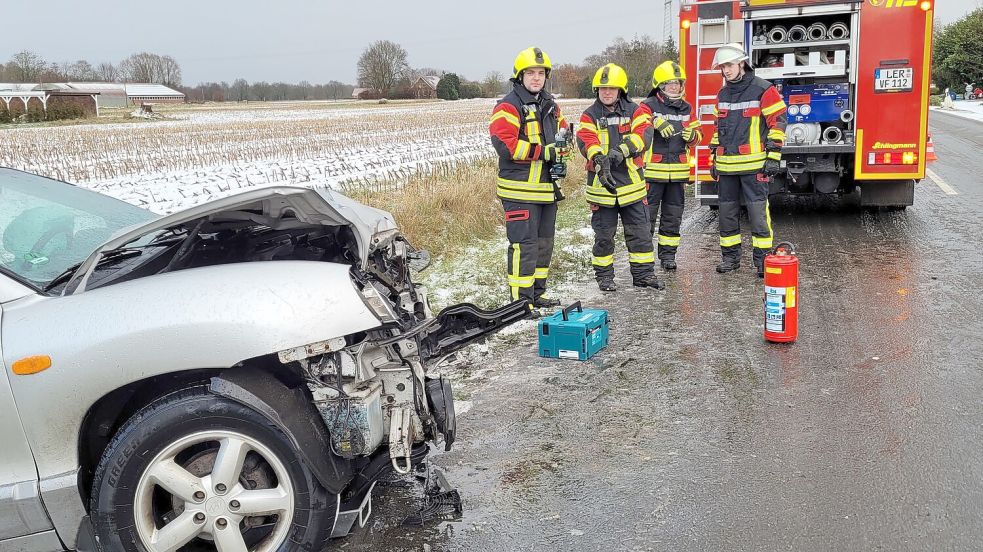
320	40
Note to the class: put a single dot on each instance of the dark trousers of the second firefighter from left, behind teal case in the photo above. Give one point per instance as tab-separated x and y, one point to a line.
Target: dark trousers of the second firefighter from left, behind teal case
638	238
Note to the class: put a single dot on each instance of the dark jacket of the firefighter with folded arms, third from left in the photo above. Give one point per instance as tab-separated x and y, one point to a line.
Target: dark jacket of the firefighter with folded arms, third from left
668	159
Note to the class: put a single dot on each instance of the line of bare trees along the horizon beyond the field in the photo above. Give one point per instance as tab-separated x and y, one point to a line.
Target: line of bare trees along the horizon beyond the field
382	69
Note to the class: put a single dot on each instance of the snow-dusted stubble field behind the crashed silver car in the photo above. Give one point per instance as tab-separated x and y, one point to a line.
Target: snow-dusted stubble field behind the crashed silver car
198	154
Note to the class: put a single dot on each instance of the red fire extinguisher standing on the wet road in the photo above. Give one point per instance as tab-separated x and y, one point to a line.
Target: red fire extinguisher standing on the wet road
781	294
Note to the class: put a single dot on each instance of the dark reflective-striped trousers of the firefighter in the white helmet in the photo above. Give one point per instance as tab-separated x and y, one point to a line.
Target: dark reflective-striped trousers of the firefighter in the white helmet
752	191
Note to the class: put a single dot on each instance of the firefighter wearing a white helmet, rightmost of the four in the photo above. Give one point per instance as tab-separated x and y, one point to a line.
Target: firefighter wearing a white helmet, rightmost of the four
746	151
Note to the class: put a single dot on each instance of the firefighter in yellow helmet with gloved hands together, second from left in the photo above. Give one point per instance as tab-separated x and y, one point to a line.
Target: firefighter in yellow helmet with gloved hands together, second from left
614	142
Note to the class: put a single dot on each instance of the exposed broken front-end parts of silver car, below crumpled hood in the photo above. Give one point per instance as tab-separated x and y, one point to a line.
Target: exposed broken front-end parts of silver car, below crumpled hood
372	388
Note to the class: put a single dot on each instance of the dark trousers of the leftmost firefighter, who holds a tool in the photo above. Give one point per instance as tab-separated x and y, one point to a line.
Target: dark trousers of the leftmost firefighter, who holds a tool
530	228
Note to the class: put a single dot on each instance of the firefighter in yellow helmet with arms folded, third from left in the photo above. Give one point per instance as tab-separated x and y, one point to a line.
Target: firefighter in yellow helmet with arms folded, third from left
667	161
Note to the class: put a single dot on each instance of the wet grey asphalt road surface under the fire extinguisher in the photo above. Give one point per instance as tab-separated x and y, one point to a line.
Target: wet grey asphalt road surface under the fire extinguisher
689	432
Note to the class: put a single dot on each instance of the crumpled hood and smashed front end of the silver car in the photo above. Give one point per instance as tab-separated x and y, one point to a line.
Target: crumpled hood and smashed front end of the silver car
370	386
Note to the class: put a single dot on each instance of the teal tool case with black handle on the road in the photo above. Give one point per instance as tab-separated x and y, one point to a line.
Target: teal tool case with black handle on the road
576	335
